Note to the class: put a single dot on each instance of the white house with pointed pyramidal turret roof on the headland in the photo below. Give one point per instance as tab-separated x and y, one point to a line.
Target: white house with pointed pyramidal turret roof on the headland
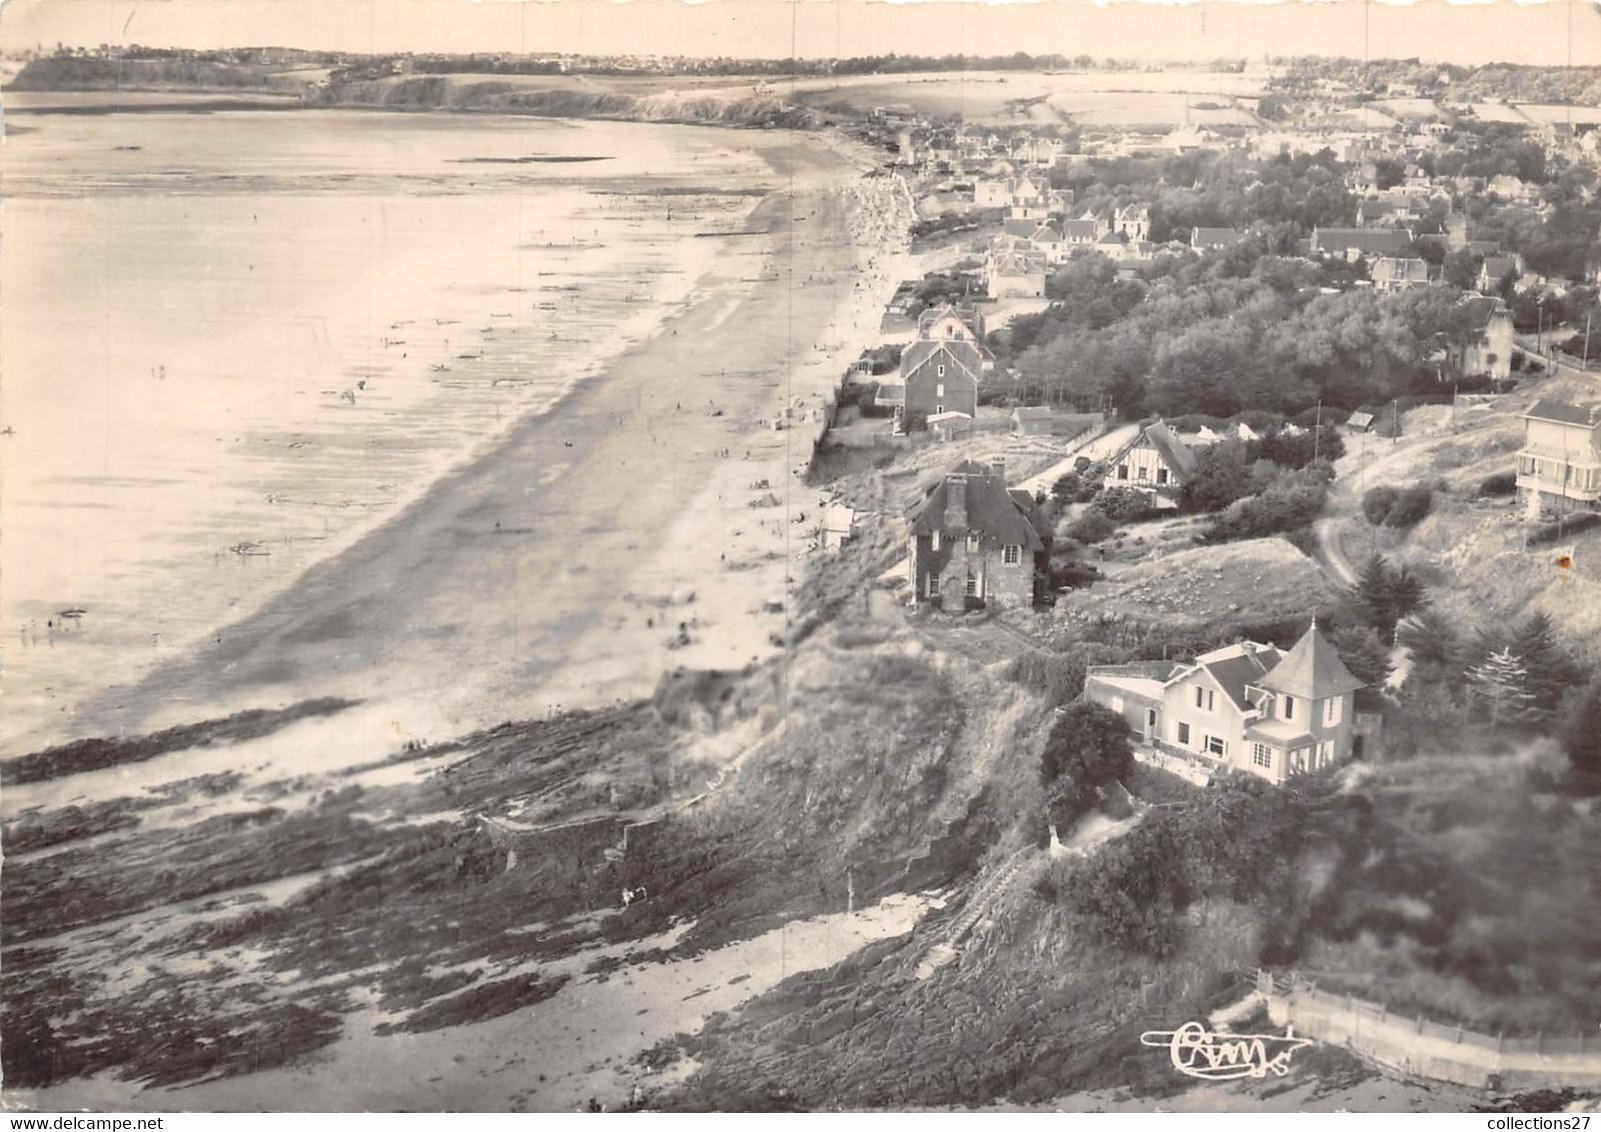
1246	707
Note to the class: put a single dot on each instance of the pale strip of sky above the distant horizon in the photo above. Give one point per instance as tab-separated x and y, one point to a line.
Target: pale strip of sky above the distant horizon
1546	33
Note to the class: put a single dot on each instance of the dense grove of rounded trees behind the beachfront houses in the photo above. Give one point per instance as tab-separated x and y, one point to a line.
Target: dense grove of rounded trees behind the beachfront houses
1229	332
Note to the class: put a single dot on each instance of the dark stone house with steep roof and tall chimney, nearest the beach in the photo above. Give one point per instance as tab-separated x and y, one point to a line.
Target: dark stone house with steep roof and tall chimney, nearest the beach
971	542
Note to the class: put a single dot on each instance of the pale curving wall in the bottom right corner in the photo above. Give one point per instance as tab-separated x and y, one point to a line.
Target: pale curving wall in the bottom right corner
1429	1050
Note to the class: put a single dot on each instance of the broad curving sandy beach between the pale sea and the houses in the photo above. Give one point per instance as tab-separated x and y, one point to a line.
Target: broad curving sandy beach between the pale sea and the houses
556	564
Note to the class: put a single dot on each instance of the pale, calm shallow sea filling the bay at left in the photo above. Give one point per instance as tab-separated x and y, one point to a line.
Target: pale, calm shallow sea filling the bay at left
270	331
